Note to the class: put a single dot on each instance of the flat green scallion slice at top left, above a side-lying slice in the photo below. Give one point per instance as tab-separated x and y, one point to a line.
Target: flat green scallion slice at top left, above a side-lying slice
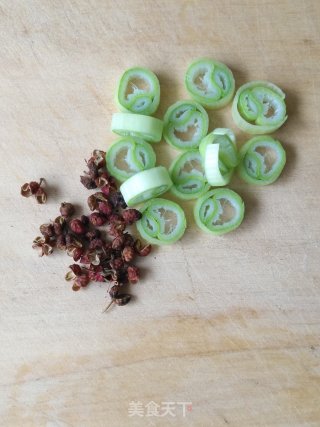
138	91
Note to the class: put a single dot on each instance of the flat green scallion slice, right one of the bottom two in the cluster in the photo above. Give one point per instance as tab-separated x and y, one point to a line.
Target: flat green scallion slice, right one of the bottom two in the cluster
219	211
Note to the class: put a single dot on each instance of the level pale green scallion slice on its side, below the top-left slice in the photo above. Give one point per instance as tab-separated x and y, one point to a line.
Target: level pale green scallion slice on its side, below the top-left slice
137	126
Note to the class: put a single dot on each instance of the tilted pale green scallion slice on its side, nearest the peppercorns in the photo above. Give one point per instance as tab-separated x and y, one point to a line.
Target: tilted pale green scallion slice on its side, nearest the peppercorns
145	185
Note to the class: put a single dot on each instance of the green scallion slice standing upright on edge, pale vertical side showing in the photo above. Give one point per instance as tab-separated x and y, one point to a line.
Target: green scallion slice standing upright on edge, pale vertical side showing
220	157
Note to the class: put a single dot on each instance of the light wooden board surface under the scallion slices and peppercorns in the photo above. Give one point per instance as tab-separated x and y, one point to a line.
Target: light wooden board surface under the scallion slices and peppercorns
230	324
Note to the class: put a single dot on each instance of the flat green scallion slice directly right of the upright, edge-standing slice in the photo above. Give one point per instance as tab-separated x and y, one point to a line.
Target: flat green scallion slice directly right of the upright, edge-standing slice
262	160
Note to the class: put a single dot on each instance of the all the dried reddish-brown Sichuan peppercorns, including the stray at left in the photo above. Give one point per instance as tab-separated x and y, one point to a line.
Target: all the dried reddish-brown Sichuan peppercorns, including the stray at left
101	256
